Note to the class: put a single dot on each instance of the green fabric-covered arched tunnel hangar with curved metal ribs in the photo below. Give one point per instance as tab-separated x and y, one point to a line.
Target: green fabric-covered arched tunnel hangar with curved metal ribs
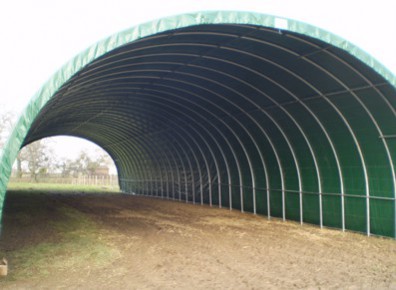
233	109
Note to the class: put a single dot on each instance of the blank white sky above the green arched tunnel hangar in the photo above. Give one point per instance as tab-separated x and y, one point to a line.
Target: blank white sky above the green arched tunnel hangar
38	37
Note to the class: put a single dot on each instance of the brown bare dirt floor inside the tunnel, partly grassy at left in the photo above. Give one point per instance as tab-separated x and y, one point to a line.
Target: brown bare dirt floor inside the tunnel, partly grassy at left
114	241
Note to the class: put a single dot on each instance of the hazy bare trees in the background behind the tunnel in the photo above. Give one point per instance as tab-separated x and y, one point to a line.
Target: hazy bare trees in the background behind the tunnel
38	159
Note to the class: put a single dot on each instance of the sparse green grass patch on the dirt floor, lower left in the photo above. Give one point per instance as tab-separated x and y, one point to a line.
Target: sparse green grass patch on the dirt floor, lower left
78	245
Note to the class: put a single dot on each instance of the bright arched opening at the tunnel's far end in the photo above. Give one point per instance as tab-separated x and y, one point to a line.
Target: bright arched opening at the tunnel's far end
64	163
